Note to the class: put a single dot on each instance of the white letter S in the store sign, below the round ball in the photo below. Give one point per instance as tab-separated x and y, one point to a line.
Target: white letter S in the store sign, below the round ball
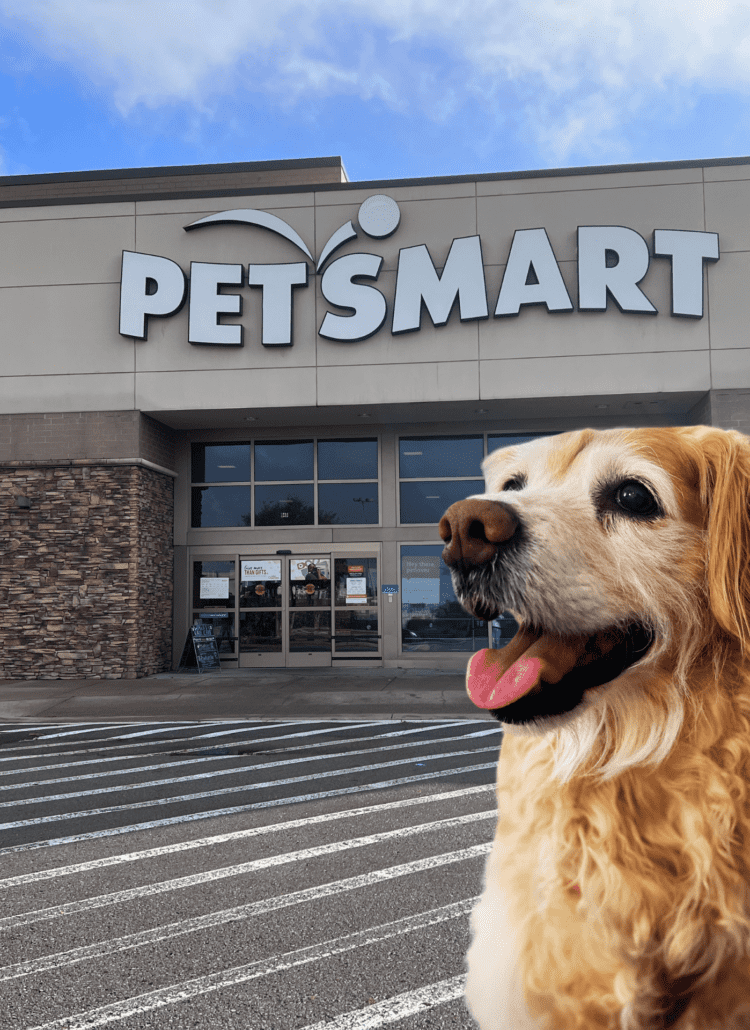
367	303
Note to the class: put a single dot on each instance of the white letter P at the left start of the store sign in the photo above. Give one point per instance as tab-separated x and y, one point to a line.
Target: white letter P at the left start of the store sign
150	286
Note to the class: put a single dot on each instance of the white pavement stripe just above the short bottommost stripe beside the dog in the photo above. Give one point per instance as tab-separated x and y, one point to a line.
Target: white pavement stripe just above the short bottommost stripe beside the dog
253	971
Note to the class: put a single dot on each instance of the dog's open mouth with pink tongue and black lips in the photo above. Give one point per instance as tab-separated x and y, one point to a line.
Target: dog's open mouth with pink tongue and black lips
539	674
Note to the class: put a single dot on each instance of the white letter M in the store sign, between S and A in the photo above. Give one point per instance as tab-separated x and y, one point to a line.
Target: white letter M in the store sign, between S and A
418	281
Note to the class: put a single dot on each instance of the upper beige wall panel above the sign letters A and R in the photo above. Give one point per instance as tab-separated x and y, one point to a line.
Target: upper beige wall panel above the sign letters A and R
643	210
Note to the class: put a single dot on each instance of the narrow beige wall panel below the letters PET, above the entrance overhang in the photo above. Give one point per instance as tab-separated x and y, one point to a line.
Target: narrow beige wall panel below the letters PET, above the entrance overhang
225	389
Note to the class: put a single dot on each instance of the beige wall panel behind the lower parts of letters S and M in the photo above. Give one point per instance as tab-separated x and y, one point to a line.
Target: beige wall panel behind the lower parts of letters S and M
431	344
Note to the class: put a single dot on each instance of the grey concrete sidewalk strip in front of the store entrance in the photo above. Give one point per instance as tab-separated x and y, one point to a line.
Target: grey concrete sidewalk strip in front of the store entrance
267	695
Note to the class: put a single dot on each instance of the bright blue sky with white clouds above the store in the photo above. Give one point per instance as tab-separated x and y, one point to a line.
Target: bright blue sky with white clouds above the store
397	88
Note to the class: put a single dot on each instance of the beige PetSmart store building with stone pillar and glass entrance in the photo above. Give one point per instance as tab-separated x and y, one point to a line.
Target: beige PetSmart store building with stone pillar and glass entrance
243	396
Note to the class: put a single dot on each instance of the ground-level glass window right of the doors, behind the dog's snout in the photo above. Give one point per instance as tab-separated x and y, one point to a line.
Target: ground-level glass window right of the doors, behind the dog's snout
432	620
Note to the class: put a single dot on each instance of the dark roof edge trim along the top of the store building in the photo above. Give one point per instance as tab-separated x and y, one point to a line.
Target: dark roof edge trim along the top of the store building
177	170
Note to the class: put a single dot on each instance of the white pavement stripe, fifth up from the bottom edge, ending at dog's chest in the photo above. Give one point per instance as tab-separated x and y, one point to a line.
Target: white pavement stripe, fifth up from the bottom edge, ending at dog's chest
174	849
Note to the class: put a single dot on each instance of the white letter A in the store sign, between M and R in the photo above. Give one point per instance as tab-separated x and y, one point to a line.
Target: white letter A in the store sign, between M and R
532	253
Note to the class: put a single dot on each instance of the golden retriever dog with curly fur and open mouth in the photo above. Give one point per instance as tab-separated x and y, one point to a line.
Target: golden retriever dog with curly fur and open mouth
617	894
